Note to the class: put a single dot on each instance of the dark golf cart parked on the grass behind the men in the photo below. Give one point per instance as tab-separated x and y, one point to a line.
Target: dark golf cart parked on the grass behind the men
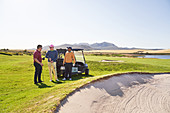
80	65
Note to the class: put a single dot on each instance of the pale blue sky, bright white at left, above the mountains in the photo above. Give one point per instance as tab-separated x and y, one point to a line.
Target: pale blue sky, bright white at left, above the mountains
126	23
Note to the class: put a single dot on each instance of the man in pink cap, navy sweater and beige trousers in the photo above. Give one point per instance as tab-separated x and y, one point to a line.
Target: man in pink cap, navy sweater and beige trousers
52	57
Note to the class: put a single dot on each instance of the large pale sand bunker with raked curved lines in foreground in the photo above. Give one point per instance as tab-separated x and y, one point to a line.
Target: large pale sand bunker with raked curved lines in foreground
135	93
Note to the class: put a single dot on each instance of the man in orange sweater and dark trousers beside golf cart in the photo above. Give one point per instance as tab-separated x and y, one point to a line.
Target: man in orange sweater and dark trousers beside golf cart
69	58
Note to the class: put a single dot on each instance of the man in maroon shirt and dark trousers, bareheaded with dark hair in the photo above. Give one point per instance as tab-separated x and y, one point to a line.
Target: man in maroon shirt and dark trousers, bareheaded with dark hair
38	64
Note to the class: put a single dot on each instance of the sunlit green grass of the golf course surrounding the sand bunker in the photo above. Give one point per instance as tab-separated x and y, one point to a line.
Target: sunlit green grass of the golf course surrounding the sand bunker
19	94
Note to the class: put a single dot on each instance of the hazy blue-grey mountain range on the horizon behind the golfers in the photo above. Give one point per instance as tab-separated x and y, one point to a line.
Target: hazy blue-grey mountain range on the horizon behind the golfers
94	46
